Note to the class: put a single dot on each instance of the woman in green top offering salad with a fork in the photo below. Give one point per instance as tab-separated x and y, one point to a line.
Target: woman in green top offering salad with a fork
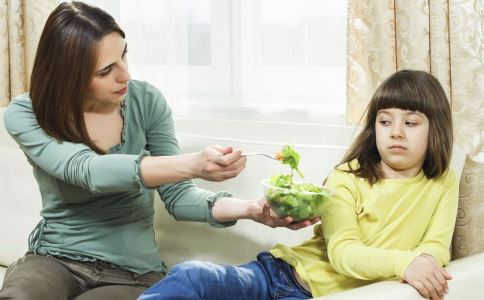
99	143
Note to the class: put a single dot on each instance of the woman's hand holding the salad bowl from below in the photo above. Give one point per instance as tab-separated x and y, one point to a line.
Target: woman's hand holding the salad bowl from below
260	211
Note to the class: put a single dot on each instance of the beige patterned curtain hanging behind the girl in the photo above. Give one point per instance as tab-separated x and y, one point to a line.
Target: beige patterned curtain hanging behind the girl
445	38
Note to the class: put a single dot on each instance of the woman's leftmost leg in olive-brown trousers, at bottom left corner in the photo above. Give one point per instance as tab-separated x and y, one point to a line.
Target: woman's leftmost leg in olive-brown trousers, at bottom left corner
38	277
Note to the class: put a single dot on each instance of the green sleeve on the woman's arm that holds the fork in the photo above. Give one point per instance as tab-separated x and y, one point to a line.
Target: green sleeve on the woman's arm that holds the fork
73	163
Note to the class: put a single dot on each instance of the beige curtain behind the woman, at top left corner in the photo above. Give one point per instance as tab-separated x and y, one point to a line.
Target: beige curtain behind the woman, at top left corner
21	23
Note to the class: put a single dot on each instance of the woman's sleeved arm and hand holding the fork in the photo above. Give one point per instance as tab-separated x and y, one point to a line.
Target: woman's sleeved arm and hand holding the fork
77	164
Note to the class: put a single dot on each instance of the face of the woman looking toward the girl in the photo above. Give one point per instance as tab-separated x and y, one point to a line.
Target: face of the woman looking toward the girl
111	76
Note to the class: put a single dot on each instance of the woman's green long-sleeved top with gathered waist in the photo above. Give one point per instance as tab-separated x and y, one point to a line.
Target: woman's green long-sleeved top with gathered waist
96	207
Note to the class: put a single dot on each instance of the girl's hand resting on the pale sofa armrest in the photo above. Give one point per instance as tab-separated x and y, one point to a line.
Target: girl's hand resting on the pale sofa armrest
427	277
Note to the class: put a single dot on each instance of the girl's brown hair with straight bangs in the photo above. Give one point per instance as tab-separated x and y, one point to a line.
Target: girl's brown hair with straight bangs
407	90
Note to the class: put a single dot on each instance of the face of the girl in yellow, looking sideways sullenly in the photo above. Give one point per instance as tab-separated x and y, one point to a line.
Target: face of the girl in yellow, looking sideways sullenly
402	141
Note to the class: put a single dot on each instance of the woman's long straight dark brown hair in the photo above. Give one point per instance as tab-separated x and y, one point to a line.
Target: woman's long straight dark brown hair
64	67
